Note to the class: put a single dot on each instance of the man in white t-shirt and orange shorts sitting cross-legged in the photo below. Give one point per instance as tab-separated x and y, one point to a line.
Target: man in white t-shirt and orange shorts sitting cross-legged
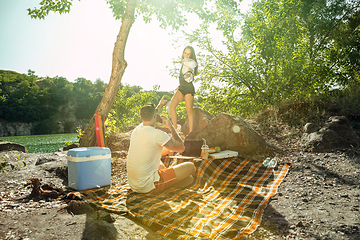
145	170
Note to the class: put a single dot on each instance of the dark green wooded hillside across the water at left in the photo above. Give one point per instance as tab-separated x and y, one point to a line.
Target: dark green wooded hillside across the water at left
28	98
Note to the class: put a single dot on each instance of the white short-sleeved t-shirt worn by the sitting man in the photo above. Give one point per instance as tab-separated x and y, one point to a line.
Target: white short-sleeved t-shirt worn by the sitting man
144	155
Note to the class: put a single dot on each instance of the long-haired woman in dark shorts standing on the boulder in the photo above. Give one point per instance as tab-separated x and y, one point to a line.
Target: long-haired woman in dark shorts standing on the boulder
186	90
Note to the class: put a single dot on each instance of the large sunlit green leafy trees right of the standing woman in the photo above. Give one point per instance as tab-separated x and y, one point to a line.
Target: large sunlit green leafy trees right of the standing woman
279	52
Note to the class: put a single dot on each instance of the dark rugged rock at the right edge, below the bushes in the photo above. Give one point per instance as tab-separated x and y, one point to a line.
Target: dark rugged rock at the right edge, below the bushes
337	133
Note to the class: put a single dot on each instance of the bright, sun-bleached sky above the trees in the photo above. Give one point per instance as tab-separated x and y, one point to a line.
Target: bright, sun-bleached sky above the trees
80	44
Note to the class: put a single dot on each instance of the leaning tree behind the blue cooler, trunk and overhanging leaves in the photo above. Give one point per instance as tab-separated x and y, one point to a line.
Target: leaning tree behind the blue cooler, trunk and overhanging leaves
168	13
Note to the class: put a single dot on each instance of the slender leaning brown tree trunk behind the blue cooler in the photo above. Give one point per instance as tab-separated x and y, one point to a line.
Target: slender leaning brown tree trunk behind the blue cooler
118	68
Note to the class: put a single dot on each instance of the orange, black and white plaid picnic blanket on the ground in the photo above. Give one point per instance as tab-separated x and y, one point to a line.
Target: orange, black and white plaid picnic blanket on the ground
226	201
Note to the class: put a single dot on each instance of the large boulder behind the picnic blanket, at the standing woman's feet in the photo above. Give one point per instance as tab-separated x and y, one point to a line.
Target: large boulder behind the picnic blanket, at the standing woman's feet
230	132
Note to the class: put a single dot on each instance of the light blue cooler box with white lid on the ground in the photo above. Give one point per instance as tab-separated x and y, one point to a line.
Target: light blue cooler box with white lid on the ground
89	167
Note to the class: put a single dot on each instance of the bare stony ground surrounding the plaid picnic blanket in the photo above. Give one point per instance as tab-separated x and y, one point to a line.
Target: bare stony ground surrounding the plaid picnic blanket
319	199
